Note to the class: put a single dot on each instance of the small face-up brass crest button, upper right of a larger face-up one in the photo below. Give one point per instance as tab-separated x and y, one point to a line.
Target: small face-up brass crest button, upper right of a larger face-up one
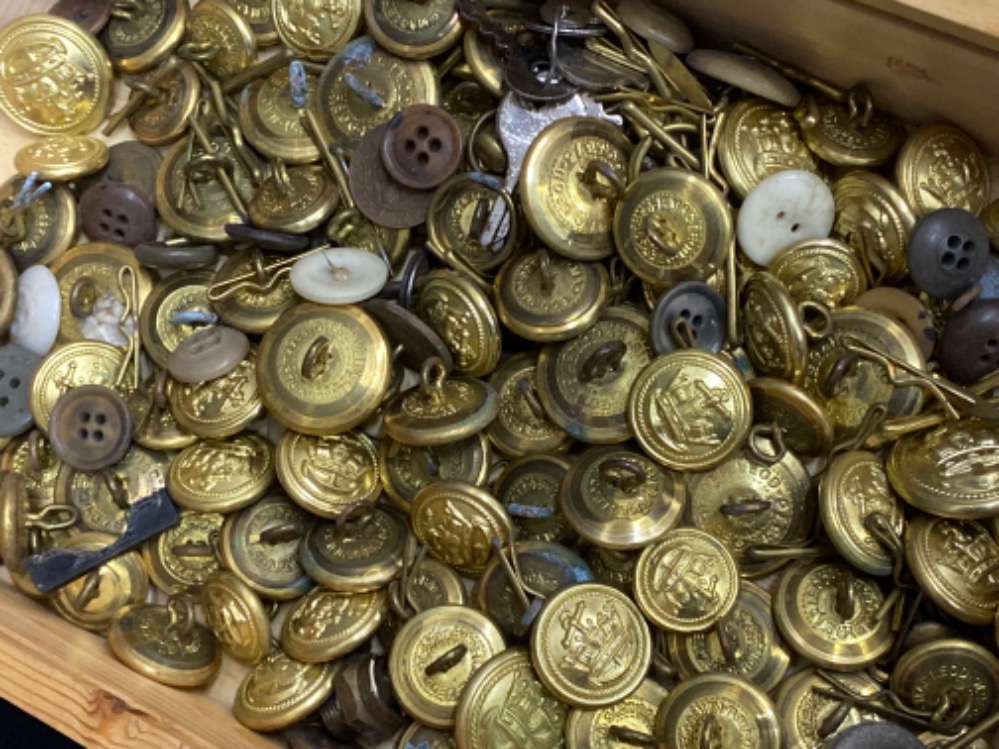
687	581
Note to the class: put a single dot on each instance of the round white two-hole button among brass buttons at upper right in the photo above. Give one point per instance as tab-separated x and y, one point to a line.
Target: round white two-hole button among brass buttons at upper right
784	208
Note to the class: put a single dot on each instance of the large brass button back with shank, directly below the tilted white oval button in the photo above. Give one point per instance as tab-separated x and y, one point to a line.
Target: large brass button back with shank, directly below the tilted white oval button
323	370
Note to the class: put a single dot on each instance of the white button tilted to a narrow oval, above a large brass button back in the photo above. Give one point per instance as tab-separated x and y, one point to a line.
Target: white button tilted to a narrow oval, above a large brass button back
341	275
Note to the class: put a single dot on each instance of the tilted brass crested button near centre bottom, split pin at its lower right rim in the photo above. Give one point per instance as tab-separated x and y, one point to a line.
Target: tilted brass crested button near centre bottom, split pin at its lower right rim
459	524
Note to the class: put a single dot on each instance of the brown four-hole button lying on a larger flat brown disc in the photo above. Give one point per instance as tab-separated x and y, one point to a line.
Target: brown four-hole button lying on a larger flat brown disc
422	146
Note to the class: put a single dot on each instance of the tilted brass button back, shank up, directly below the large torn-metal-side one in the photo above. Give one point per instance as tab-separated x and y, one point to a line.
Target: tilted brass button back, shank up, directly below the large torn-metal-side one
544	297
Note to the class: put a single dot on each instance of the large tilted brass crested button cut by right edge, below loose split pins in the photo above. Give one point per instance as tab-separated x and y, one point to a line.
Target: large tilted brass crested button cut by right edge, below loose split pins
949	470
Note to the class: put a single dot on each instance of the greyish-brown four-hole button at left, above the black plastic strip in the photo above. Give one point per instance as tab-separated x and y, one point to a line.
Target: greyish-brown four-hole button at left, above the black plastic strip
90	427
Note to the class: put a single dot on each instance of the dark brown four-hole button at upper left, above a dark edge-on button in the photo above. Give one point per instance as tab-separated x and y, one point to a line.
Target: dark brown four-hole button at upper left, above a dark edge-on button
114	212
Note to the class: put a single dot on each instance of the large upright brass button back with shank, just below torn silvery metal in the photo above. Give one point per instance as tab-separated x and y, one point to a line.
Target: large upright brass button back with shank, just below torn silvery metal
571	179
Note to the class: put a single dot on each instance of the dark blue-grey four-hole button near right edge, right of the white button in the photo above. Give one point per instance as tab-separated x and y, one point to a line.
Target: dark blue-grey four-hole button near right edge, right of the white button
947	252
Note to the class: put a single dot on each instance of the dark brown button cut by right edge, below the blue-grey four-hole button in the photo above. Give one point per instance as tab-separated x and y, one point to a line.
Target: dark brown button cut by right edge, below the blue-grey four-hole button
969	344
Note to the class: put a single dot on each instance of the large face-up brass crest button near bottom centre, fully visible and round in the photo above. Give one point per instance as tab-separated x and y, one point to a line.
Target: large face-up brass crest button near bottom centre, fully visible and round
590	646
